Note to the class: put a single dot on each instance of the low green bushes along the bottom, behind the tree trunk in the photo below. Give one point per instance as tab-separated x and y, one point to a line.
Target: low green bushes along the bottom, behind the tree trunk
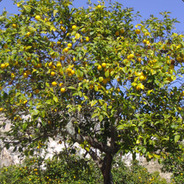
77	171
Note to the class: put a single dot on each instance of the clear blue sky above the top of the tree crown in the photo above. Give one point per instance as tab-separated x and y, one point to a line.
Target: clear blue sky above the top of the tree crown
146	7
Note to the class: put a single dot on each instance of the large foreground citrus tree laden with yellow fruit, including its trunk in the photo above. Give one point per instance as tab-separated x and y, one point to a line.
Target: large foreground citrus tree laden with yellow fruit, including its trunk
89	75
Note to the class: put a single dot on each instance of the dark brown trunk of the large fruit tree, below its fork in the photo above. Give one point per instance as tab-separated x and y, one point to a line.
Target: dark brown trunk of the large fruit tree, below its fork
106	169
